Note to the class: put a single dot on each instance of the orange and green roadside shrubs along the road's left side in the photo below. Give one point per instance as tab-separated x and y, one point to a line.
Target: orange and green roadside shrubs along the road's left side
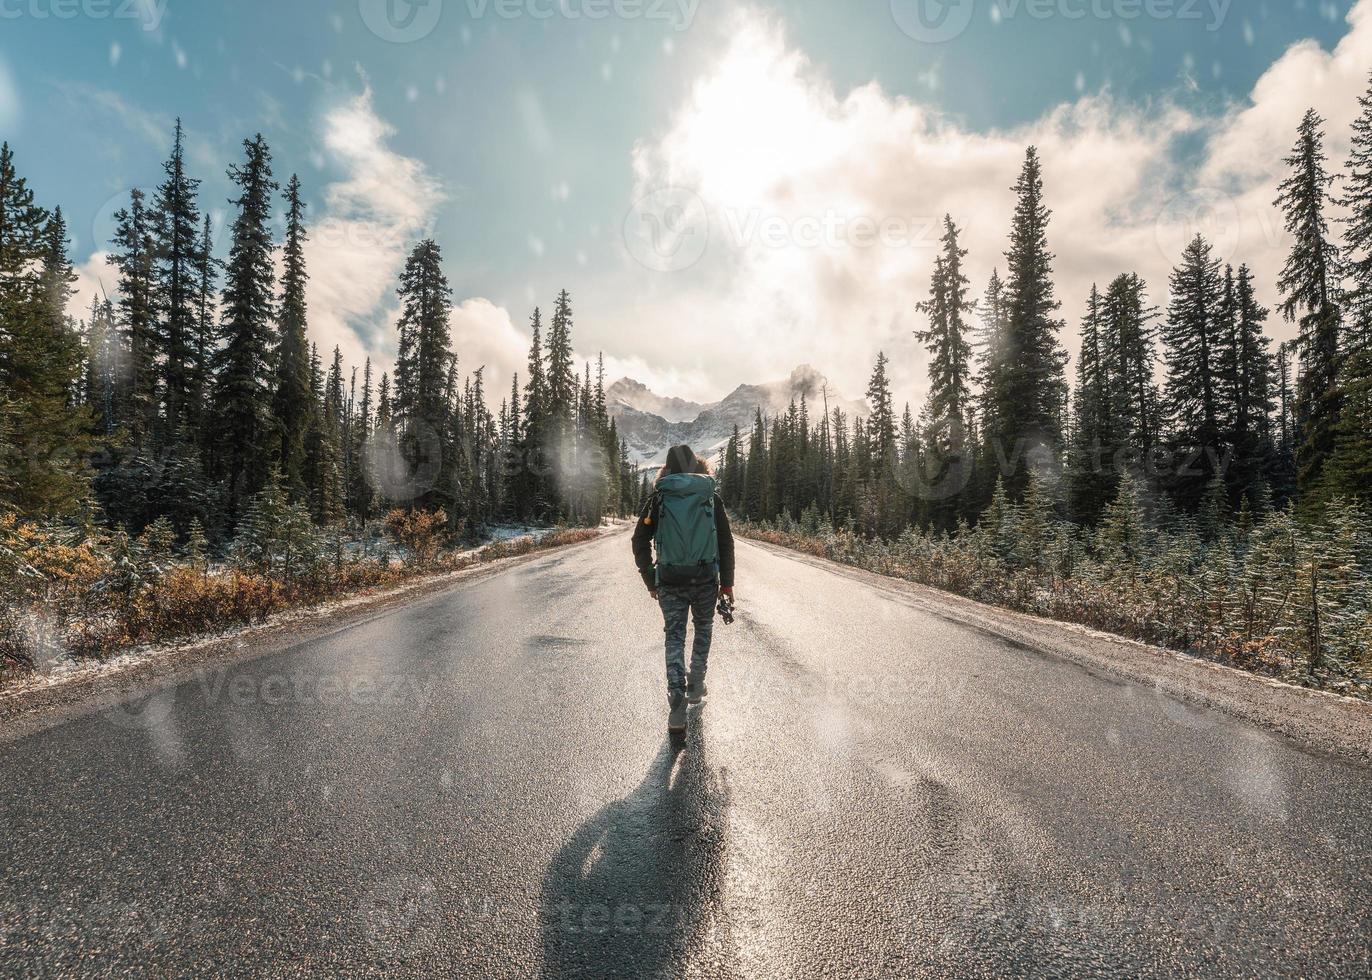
87	594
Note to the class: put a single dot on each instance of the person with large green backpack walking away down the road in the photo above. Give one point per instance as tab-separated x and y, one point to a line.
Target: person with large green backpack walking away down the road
695	568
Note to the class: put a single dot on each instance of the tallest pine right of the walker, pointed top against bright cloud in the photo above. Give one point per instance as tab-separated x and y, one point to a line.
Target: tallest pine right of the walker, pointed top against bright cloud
1031	386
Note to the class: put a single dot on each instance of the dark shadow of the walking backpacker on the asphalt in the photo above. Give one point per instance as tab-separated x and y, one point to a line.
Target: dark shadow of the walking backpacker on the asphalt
637	889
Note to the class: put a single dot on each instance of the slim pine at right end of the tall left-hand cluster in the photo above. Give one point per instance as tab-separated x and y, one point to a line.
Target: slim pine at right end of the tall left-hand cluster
293	406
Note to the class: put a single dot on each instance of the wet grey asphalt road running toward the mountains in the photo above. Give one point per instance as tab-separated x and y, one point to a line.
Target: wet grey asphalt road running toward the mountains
481	784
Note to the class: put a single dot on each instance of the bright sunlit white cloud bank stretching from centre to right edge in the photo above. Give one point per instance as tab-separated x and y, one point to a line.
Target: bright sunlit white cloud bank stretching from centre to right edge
770	146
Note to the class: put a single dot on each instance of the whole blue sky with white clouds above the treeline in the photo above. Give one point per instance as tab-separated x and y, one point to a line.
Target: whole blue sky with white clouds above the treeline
523	142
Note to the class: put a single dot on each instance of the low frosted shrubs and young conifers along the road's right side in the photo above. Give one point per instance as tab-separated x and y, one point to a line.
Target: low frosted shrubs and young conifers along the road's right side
1267	594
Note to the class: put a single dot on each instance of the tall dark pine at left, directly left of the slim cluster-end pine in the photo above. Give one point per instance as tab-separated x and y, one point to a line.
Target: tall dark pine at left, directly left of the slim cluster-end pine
244	364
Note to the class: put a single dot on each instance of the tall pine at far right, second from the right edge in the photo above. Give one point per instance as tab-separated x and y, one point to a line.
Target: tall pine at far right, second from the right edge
1310	285
